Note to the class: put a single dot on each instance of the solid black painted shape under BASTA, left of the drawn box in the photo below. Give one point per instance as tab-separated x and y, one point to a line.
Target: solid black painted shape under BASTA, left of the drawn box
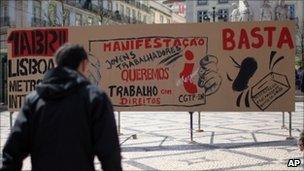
247	69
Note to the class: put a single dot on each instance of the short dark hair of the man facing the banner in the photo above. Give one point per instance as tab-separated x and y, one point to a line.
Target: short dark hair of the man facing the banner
70	56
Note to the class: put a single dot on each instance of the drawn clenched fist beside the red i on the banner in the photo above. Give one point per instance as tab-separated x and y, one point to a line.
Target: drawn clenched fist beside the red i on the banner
209	78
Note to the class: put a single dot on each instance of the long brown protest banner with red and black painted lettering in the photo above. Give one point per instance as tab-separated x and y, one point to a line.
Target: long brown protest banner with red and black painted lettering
169	67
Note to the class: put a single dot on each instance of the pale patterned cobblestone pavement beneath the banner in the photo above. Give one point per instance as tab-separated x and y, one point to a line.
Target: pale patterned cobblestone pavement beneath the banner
231	140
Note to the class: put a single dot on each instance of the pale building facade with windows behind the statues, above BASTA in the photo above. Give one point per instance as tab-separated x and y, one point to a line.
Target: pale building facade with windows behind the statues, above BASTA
199	11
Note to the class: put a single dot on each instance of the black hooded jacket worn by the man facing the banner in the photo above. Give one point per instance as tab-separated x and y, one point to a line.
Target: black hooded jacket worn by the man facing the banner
63	124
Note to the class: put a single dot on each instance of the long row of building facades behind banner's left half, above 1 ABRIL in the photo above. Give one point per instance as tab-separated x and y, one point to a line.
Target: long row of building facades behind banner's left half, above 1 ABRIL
42	13
